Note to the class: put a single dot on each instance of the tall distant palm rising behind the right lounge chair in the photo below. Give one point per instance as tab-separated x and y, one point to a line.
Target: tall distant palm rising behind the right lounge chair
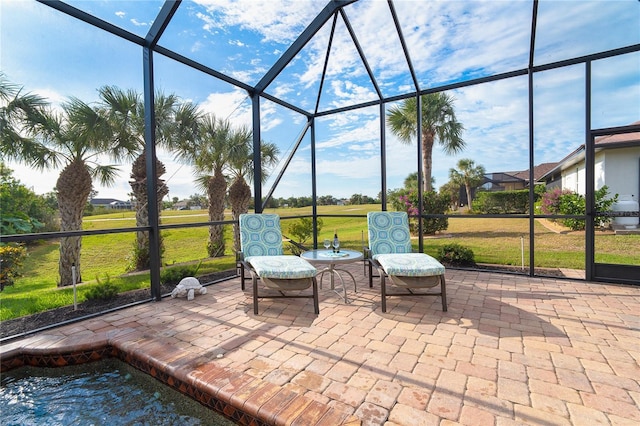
438	123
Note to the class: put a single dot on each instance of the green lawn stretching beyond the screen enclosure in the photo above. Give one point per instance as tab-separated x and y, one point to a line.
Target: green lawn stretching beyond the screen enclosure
494	241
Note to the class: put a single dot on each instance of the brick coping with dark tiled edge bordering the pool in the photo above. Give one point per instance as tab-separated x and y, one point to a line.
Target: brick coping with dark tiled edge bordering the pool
242	398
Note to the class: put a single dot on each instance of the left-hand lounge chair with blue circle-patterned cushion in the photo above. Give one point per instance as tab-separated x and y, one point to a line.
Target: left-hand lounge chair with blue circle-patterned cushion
262	254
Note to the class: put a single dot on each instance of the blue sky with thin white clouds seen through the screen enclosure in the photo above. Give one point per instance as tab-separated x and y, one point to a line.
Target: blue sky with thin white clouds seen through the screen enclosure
55	56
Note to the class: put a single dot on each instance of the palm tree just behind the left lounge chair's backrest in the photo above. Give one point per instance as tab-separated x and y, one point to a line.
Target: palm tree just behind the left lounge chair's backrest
241	166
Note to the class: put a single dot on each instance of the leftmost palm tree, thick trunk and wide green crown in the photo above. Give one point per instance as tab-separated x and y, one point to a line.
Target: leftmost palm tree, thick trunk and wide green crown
73	139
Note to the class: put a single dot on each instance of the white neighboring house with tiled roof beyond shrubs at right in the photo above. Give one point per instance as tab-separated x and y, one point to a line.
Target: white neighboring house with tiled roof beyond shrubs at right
617	165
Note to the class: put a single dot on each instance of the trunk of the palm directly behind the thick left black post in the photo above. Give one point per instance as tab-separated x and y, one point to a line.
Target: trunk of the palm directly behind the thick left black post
138	184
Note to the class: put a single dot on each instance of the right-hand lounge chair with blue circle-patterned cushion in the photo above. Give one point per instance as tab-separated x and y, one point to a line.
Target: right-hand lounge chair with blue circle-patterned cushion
391	254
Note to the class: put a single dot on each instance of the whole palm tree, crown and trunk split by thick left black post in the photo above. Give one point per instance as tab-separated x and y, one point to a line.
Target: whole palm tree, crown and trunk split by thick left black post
175	122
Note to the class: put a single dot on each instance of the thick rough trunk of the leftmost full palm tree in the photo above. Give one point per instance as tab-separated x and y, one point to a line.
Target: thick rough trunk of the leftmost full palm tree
74	187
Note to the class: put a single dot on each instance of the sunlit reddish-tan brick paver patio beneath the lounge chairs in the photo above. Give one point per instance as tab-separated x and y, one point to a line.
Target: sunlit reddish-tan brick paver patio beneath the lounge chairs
511	350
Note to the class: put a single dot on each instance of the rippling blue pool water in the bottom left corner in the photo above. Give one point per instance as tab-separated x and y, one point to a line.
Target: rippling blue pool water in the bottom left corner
107	392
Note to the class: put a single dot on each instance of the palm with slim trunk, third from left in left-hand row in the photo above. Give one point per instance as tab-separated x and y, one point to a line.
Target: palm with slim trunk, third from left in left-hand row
209	153
